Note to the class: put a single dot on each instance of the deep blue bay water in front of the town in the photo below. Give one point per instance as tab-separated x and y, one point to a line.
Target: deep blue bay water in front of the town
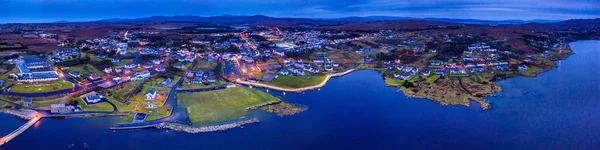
561	111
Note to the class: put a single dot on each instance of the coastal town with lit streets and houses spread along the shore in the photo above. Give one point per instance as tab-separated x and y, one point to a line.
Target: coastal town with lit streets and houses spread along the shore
193	74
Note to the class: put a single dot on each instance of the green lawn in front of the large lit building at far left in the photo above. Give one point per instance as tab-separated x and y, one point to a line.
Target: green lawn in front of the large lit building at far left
44	87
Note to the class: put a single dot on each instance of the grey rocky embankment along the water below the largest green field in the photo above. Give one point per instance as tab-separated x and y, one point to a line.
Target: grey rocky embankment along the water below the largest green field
204	129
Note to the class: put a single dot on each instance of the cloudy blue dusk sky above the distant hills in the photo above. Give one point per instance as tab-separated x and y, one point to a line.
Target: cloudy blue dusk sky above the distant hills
32	11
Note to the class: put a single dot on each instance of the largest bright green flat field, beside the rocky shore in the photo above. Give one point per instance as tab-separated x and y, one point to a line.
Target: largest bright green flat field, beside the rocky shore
221	105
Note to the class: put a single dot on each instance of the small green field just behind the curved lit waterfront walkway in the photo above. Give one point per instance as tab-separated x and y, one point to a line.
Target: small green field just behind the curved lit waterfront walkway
297	81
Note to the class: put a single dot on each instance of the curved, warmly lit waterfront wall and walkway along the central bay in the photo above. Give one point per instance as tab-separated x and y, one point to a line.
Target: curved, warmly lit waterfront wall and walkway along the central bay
295	89
